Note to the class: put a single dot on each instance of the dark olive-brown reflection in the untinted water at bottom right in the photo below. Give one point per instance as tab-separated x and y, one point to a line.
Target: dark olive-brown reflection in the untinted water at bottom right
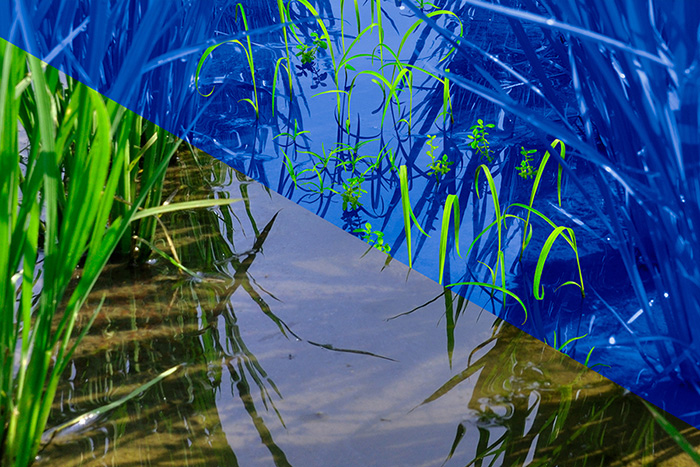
533	406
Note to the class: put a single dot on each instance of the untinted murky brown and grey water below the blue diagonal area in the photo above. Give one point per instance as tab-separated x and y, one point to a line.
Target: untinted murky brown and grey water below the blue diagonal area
290	358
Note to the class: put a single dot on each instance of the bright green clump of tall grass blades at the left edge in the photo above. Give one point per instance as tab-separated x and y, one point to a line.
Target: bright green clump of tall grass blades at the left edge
55	214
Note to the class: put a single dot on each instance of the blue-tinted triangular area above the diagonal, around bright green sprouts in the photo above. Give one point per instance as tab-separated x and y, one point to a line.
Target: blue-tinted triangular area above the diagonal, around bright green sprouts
620	90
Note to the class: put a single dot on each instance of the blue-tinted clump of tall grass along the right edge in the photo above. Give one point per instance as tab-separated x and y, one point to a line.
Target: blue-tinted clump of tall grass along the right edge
641	154
